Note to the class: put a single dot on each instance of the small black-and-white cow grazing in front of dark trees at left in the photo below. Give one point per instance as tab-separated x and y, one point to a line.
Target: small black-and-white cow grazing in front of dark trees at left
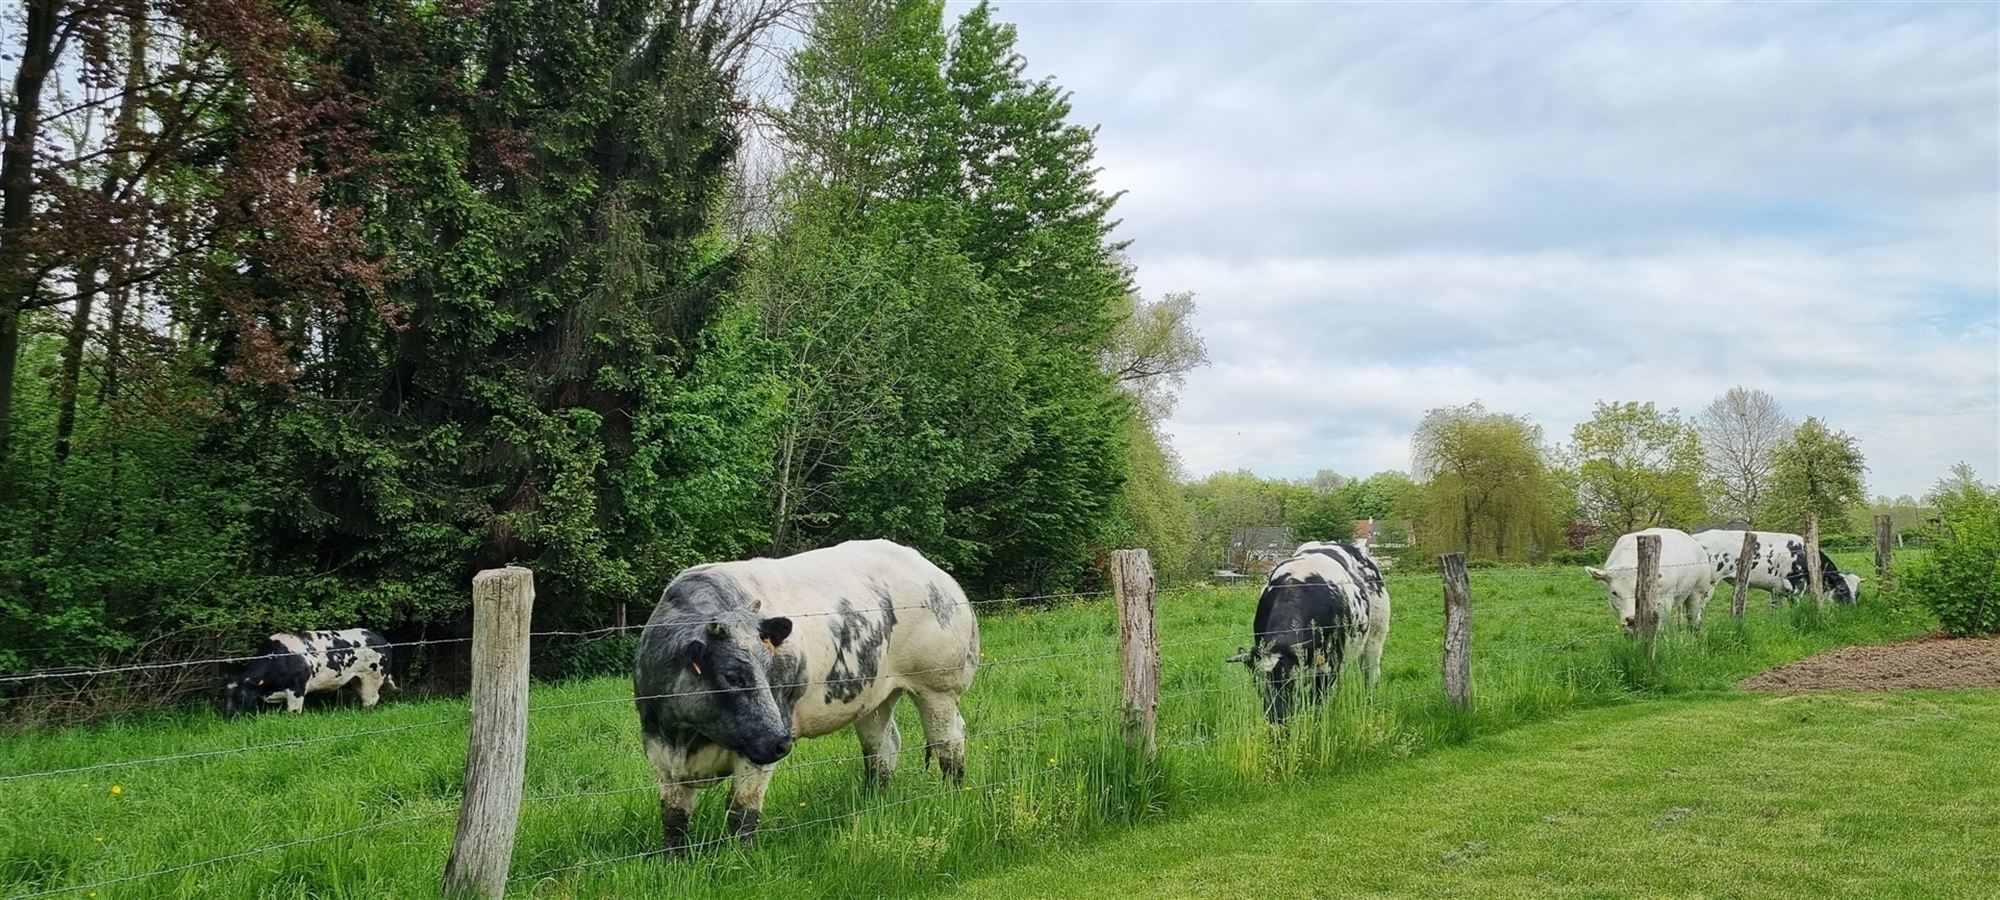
289	667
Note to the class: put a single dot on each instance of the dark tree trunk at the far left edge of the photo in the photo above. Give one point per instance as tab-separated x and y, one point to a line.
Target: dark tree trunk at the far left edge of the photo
17	195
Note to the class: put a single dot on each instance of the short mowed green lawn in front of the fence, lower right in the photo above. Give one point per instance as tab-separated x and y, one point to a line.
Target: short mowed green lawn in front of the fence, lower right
1747	797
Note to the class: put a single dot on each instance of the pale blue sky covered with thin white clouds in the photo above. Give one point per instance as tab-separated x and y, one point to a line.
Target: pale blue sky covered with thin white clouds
1385	209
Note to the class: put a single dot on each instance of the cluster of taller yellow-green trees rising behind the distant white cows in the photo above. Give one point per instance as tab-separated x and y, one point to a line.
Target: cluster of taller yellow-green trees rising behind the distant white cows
1495	487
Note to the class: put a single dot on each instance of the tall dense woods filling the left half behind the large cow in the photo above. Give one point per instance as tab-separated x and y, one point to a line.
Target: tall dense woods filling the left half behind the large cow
311	311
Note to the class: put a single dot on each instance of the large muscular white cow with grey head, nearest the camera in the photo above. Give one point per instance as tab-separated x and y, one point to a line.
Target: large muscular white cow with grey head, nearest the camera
743	659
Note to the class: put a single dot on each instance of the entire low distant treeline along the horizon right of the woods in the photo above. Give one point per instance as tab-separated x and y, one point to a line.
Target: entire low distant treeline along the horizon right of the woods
1493	485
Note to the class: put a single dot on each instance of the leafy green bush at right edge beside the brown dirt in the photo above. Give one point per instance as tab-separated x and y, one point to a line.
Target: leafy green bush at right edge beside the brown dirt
1959	577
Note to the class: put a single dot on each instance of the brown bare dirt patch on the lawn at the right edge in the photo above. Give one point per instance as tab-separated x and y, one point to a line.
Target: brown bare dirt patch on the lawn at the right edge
1929	663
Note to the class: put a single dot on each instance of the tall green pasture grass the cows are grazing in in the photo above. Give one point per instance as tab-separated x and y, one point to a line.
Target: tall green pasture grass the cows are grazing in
371	815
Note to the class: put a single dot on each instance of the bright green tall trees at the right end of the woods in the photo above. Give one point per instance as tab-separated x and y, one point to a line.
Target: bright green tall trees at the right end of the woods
943	299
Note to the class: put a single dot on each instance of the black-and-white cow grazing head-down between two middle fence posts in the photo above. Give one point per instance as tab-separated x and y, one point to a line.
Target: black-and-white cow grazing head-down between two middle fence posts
1319	609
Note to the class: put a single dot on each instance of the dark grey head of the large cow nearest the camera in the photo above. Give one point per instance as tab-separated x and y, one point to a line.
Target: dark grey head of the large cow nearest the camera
725	685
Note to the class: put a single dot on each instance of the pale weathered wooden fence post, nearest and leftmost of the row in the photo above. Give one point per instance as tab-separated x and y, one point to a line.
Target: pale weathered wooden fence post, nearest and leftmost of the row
497	745
